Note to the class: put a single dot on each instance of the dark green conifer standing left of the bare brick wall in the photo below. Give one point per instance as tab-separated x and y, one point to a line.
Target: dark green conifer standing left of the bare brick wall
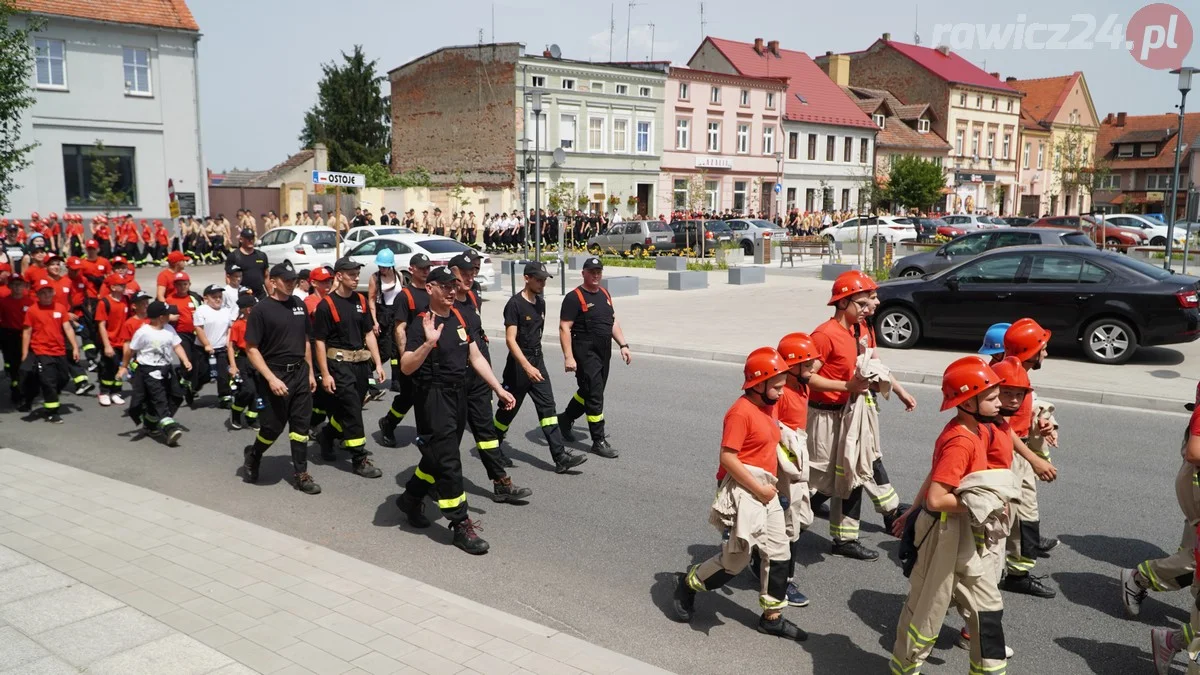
352	117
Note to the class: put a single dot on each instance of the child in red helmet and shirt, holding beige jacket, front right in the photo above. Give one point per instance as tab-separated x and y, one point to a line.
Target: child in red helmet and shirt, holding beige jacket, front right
949	564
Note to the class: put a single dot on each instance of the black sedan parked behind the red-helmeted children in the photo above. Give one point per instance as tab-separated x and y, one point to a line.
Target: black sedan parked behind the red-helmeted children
1106	303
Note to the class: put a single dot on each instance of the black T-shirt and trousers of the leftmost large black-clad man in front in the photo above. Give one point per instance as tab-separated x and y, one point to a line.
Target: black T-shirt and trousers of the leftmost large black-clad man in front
280	331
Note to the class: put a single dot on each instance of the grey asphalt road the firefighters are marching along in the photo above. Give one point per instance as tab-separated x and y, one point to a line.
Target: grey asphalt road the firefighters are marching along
595	553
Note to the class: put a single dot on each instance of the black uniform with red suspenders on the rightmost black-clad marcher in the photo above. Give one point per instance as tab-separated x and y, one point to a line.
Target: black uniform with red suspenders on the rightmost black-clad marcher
592	345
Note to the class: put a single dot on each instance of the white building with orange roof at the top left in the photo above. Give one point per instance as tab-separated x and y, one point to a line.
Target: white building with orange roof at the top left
124	75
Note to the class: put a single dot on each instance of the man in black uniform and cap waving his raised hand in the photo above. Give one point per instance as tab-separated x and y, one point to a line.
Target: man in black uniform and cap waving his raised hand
439	351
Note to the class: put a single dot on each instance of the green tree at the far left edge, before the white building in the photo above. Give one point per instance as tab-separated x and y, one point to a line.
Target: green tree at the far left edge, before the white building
16	97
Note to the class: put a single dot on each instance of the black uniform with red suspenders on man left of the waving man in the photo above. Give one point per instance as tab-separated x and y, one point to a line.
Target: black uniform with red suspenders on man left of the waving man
344	325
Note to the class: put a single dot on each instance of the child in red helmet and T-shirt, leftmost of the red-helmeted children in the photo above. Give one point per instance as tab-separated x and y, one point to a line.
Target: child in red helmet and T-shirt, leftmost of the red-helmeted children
748	511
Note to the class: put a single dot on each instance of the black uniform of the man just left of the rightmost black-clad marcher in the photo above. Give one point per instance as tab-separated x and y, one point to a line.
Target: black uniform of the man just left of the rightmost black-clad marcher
531	320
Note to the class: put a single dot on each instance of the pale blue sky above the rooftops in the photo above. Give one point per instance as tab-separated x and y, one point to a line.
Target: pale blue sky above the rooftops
261	61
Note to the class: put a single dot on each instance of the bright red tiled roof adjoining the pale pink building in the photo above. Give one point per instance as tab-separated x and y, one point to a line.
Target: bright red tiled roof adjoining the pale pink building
825	103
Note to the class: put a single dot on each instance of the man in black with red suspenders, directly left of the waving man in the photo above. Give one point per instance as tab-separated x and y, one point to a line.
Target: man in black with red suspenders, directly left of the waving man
346	355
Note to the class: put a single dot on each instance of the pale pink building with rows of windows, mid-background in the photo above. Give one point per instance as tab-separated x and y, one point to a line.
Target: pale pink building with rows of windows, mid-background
716	126
